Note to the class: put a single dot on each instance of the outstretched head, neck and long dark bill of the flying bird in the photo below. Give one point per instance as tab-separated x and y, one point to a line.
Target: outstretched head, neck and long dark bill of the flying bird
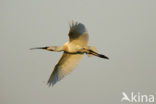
50	48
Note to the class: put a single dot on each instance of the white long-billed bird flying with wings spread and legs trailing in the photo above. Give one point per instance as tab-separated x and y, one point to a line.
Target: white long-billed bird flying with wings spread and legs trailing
73	50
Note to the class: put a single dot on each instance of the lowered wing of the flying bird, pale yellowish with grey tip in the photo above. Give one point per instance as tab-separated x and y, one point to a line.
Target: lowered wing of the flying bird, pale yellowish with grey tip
65	65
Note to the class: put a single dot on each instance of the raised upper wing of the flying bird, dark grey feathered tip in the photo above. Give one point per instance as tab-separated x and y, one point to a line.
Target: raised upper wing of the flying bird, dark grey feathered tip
78	32
